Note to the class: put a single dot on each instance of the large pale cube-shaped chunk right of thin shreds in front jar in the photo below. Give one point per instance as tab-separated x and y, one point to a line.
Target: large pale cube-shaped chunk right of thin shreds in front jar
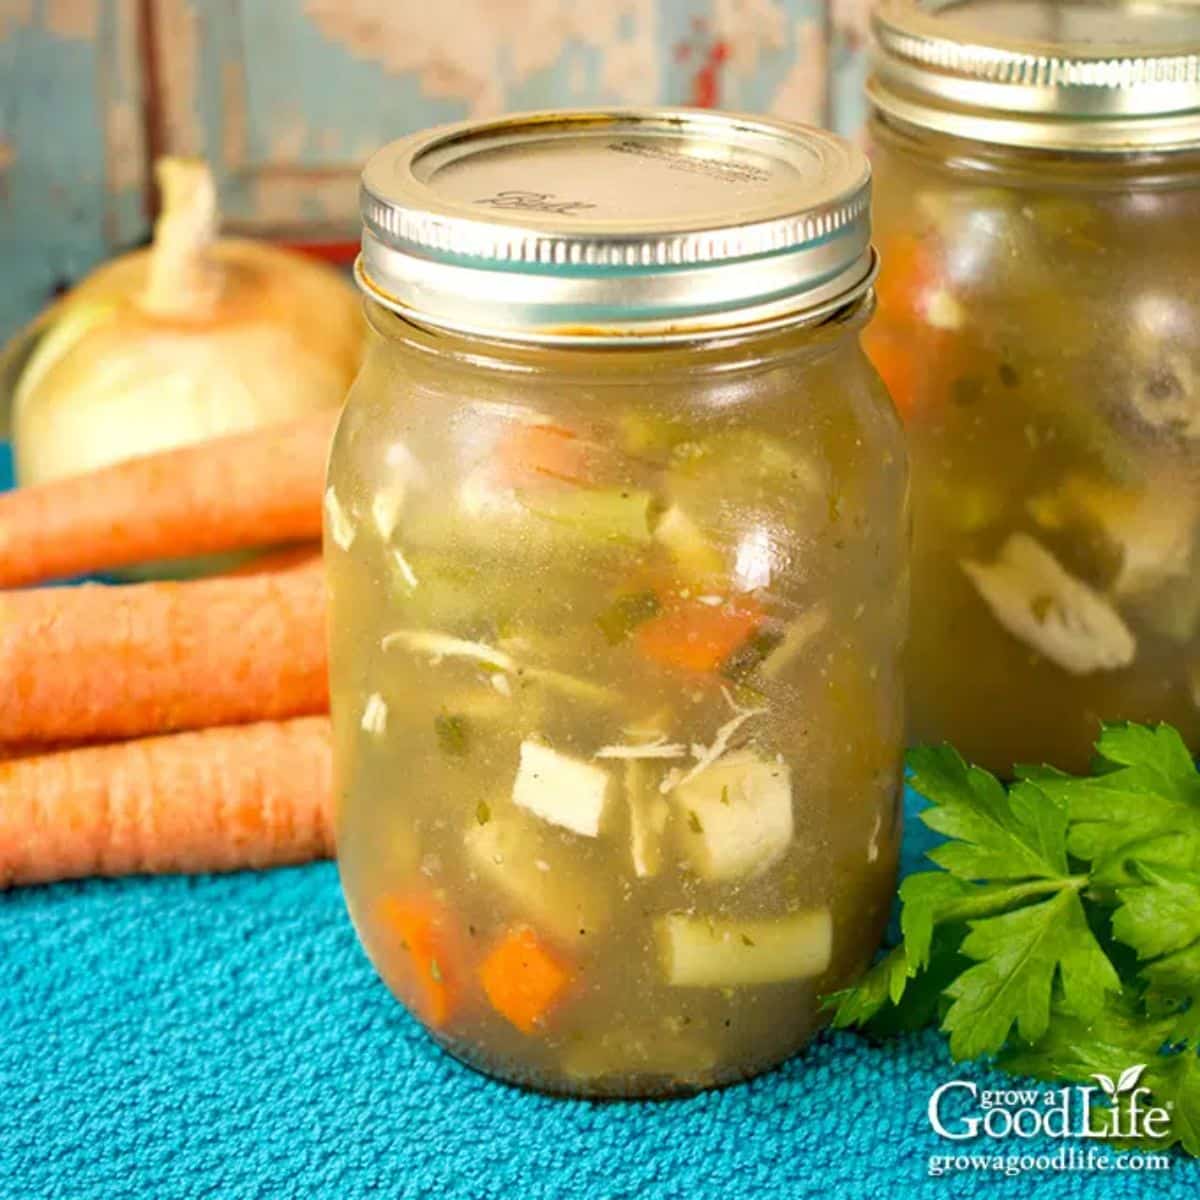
736	818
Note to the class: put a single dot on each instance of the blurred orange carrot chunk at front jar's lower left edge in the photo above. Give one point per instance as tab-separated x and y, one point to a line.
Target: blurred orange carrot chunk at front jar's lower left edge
433	944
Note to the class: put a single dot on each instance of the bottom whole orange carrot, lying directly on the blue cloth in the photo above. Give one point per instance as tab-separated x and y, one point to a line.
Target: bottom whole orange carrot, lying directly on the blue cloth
225	800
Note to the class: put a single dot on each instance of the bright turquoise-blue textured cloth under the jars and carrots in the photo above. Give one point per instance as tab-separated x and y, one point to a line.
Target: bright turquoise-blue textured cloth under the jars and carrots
225	1037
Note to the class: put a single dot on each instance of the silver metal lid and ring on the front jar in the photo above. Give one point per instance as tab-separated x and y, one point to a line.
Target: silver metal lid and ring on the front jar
597	225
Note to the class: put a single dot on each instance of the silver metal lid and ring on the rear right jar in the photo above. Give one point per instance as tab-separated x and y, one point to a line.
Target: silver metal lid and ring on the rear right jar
1095	76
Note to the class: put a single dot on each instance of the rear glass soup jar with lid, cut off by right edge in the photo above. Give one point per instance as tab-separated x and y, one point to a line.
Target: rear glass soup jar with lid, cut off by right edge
1040	329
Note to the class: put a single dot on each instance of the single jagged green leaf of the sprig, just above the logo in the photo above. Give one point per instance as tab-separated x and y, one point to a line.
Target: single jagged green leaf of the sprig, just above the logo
1018	957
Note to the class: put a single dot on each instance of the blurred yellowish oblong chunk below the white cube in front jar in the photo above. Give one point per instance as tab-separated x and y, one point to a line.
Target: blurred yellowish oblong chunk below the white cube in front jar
543	881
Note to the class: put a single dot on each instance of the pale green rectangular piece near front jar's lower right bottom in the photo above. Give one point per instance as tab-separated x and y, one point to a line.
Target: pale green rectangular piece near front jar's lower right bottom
698	952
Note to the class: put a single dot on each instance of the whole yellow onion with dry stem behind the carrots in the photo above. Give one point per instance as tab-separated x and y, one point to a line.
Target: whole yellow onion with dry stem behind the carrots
195	338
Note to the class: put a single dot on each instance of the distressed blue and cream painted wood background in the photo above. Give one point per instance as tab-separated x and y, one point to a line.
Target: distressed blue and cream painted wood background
286	98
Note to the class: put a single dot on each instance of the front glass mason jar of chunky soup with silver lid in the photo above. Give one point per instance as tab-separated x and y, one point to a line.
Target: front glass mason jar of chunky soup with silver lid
616	531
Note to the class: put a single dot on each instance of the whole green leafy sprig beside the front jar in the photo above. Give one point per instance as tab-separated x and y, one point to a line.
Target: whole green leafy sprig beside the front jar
1061	933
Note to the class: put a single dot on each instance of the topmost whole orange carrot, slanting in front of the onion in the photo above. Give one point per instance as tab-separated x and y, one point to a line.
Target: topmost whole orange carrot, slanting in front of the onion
249	490
